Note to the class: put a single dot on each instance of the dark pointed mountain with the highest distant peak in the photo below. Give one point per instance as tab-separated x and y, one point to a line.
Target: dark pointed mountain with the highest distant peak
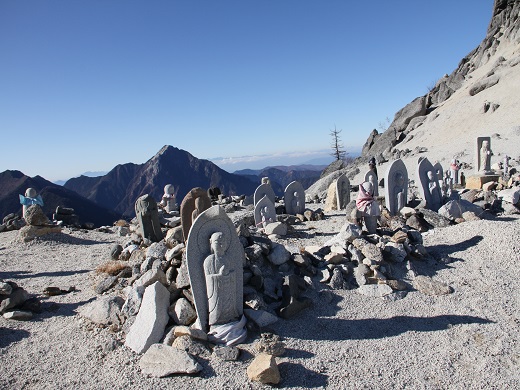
119	188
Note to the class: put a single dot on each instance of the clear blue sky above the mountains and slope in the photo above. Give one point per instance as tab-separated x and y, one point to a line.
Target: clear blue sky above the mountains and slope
87	85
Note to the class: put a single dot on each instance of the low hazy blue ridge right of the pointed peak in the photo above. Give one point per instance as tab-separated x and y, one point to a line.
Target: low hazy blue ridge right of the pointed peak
281	176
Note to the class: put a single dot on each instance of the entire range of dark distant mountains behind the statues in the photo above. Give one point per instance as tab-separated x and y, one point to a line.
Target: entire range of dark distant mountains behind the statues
117	190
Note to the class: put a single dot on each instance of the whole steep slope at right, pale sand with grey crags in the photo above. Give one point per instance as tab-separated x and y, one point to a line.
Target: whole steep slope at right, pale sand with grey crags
477	99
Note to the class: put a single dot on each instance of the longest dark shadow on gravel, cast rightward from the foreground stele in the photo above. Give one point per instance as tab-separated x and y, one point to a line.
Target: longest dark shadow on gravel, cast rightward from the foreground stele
374	328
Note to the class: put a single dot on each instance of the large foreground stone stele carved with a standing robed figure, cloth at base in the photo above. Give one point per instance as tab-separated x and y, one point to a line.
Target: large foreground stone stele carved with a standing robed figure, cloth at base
214	257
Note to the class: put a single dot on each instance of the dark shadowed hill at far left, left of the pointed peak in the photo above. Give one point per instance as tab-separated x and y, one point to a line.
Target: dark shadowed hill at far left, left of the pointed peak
14	183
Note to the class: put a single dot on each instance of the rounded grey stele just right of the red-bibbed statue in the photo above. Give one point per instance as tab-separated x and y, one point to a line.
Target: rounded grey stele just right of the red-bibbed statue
396	187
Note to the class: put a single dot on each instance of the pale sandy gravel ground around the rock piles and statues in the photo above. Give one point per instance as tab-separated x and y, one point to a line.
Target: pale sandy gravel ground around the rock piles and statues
465	340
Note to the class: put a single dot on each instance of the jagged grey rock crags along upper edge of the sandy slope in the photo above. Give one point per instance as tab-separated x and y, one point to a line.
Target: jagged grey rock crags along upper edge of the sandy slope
503	30
